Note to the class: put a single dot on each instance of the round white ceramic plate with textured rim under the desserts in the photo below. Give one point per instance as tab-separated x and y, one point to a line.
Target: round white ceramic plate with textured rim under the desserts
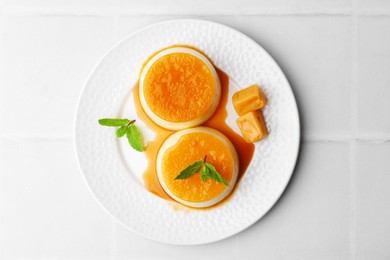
113	171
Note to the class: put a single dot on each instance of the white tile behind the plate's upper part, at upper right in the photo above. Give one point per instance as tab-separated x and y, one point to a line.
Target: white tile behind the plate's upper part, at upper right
313	51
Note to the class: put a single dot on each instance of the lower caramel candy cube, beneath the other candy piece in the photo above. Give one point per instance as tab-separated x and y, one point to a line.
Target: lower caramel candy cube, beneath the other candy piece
252	126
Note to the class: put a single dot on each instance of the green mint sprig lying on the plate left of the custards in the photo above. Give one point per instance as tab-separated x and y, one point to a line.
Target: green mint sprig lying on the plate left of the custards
126	127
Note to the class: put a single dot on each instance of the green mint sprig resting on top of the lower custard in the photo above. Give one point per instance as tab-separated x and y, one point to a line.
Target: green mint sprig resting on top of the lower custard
208	171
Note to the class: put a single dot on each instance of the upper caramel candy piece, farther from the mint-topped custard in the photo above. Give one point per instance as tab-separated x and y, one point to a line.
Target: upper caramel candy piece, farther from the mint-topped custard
248	99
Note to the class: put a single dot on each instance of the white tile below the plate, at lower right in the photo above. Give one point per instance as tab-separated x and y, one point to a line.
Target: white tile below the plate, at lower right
311	221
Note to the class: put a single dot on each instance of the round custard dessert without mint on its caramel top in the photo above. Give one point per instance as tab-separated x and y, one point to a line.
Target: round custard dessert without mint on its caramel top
179	88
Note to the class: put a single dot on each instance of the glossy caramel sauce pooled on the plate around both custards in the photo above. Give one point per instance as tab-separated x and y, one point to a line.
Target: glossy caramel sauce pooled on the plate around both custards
217	121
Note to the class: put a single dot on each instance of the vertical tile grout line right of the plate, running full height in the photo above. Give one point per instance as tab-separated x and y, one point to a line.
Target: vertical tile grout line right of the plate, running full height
354	130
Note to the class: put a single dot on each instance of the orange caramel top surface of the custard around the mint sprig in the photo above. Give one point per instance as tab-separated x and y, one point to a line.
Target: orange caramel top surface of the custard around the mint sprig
190	148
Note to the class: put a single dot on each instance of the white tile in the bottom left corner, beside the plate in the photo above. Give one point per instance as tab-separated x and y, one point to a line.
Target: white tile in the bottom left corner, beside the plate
46	210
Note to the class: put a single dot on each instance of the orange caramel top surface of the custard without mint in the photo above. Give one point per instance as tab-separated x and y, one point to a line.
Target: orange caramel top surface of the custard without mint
179	87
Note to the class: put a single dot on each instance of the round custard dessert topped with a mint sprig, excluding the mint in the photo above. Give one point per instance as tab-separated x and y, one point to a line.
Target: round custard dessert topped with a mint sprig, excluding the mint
185	147
